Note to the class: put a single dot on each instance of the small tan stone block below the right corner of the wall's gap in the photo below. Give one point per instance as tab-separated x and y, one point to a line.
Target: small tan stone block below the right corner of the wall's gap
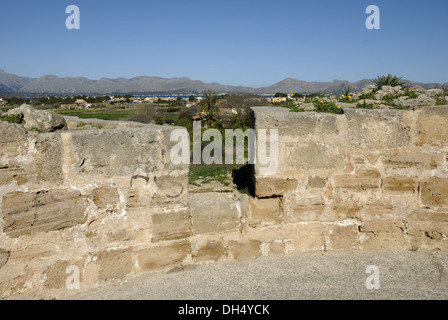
265	211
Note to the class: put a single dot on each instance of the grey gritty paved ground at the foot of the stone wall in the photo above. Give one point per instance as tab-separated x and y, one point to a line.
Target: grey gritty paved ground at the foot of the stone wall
337	275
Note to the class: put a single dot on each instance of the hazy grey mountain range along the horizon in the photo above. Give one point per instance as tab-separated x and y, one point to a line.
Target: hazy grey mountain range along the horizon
11	84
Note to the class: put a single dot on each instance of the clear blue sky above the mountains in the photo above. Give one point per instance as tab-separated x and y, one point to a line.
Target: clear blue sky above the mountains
238	42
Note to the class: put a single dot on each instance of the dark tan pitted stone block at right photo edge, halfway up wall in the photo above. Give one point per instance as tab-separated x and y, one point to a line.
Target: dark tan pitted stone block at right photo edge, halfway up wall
434	193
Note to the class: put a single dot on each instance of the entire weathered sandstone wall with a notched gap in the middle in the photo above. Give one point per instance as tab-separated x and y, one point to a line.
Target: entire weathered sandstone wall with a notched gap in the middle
112	204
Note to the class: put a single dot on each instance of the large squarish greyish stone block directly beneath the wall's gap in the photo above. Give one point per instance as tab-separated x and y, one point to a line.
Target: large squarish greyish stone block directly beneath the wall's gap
212	212
